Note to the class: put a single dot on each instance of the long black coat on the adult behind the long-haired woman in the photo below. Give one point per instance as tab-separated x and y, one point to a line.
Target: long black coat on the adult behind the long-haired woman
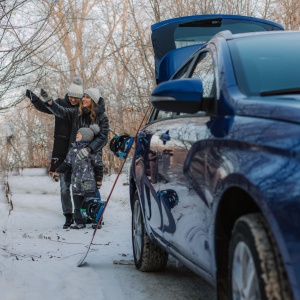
62	129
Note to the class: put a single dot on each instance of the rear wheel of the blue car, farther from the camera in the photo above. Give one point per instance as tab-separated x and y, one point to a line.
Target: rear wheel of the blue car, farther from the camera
147	256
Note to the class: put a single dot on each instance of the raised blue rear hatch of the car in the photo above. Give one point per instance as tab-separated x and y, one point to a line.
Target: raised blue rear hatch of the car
175	40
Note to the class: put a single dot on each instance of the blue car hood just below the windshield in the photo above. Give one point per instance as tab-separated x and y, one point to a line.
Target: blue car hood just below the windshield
285	108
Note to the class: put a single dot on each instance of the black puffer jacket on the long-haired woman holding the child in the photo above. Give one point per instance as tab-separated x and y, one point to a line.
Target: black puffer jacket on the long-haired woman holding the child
78	121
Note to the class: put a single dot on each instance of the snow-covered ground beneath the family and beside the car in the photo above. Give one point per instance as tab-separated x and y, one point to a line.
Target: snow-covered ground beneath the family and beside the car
38	259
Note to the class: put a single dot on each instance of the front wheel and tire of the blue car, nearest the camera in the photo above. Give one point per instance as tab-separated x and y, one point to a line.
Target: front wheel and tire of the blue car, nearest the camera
255	266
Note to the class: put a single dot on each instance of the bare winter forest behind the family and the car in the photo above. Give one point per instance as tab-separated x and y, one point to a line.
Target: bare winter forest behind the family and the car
45	43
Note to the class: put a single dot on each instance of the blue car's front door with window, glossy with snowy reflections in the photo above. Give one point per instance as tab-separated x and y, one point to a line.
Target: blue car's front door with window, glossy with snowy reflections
187	213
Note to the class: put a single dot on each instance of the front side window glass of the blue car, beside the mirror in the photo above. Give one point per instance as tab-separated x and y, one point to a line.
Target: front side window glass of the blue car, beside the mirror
204	70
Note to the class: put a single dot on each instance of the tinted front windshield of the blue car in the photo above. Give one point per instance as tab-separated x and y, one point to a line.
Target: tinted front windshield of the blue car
267	64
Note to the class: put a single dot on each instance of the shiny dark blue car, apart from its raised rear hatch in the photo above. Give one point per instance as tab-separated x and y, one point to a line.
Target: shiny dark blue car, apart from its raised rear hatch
215	174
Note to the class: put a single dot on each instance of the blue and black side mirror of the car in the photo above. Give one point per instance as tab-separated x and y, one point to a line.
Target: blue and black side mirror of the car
179	95
